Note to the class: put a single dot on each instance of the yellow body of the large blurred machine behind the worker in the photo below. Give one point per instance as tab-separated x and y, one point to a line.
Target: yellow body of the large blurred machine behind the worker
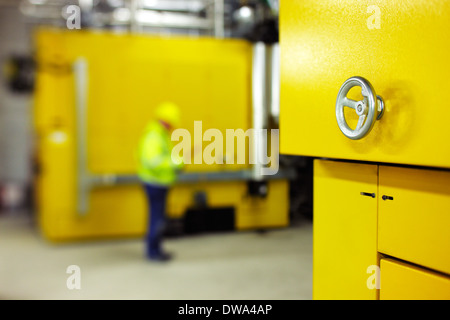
128	76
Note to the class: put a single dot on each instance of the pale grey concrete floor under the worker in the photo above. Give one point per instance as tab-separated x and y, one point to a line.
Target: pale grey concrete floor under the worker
221	266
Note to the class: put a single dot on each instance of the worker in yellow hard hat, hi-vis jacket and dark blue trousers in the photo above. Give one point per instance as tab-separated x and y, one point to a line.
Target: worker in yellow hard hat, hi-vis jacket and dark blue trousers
158	171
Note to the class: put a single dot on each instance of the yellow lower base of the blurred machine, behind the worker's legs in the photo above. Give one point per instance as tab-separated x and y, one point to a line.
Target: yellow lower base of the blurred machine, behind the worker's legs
108	217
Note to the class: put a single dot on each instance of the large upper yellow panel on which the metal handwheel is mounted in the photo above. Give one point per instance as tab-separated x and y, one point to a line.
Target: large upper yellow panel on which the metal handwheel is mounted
405	58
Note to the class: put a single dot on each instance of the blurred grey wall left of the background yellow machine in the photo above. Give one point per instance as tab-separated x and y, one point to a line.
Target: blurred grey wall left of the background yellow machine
15	111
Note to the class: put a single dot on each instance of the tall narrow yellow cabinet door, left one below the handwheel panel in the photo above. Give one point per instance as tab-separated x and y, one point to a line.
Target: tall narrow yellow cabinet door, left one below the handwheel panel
344	230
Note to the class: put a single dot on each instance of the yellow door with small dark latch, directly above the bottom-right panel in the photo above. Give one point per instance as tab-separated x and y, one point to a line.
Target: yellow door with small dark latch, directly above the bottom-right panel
415	224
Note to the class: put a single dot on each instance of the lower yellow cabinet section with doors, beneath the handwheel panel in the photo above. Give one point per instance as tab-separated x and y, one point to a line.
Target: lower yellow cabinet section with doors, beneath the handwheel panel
365	211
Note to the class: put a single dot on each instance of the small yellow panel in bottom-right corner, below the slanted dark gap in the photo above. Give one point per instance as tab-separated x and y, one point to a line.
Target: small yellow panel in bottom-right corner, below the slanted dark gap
400	281
